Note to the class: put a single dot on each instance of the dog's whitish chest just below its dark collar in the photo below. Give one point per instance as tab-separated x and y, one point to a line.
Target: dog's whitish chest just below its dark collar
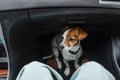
68	56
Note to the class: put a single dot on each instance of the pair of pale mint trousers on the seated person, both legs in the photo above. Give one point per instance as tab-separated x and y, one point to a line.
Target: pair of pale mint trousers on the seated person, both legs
88	71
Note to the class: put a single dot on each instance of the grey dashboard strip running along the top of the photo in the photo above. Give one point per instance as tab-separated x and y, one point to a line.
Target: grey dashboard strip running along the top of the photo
30	4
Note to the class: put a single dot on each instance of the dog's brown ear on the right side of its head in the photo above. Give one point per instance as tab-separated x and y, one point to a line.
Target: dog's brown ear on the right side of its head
81	33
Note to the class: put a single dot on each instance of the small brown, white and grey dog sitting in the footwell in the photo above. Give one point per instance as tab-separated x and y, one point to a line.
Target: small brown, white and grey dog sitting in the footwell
68	44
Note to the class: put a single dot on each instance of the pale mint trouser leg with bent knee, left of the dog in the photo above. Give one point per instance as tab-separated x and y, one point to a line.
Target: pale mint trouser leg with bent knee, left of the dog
37	71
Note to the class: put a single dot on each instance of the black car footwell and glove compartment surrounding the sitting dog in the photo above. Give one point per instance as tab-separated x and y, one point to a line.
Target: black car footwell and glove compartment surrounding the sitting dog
28	34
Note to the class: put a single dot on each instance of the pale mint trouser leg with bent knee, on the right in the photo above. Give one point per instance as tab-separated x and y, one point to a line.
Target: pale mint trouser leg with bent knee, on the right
92	71
